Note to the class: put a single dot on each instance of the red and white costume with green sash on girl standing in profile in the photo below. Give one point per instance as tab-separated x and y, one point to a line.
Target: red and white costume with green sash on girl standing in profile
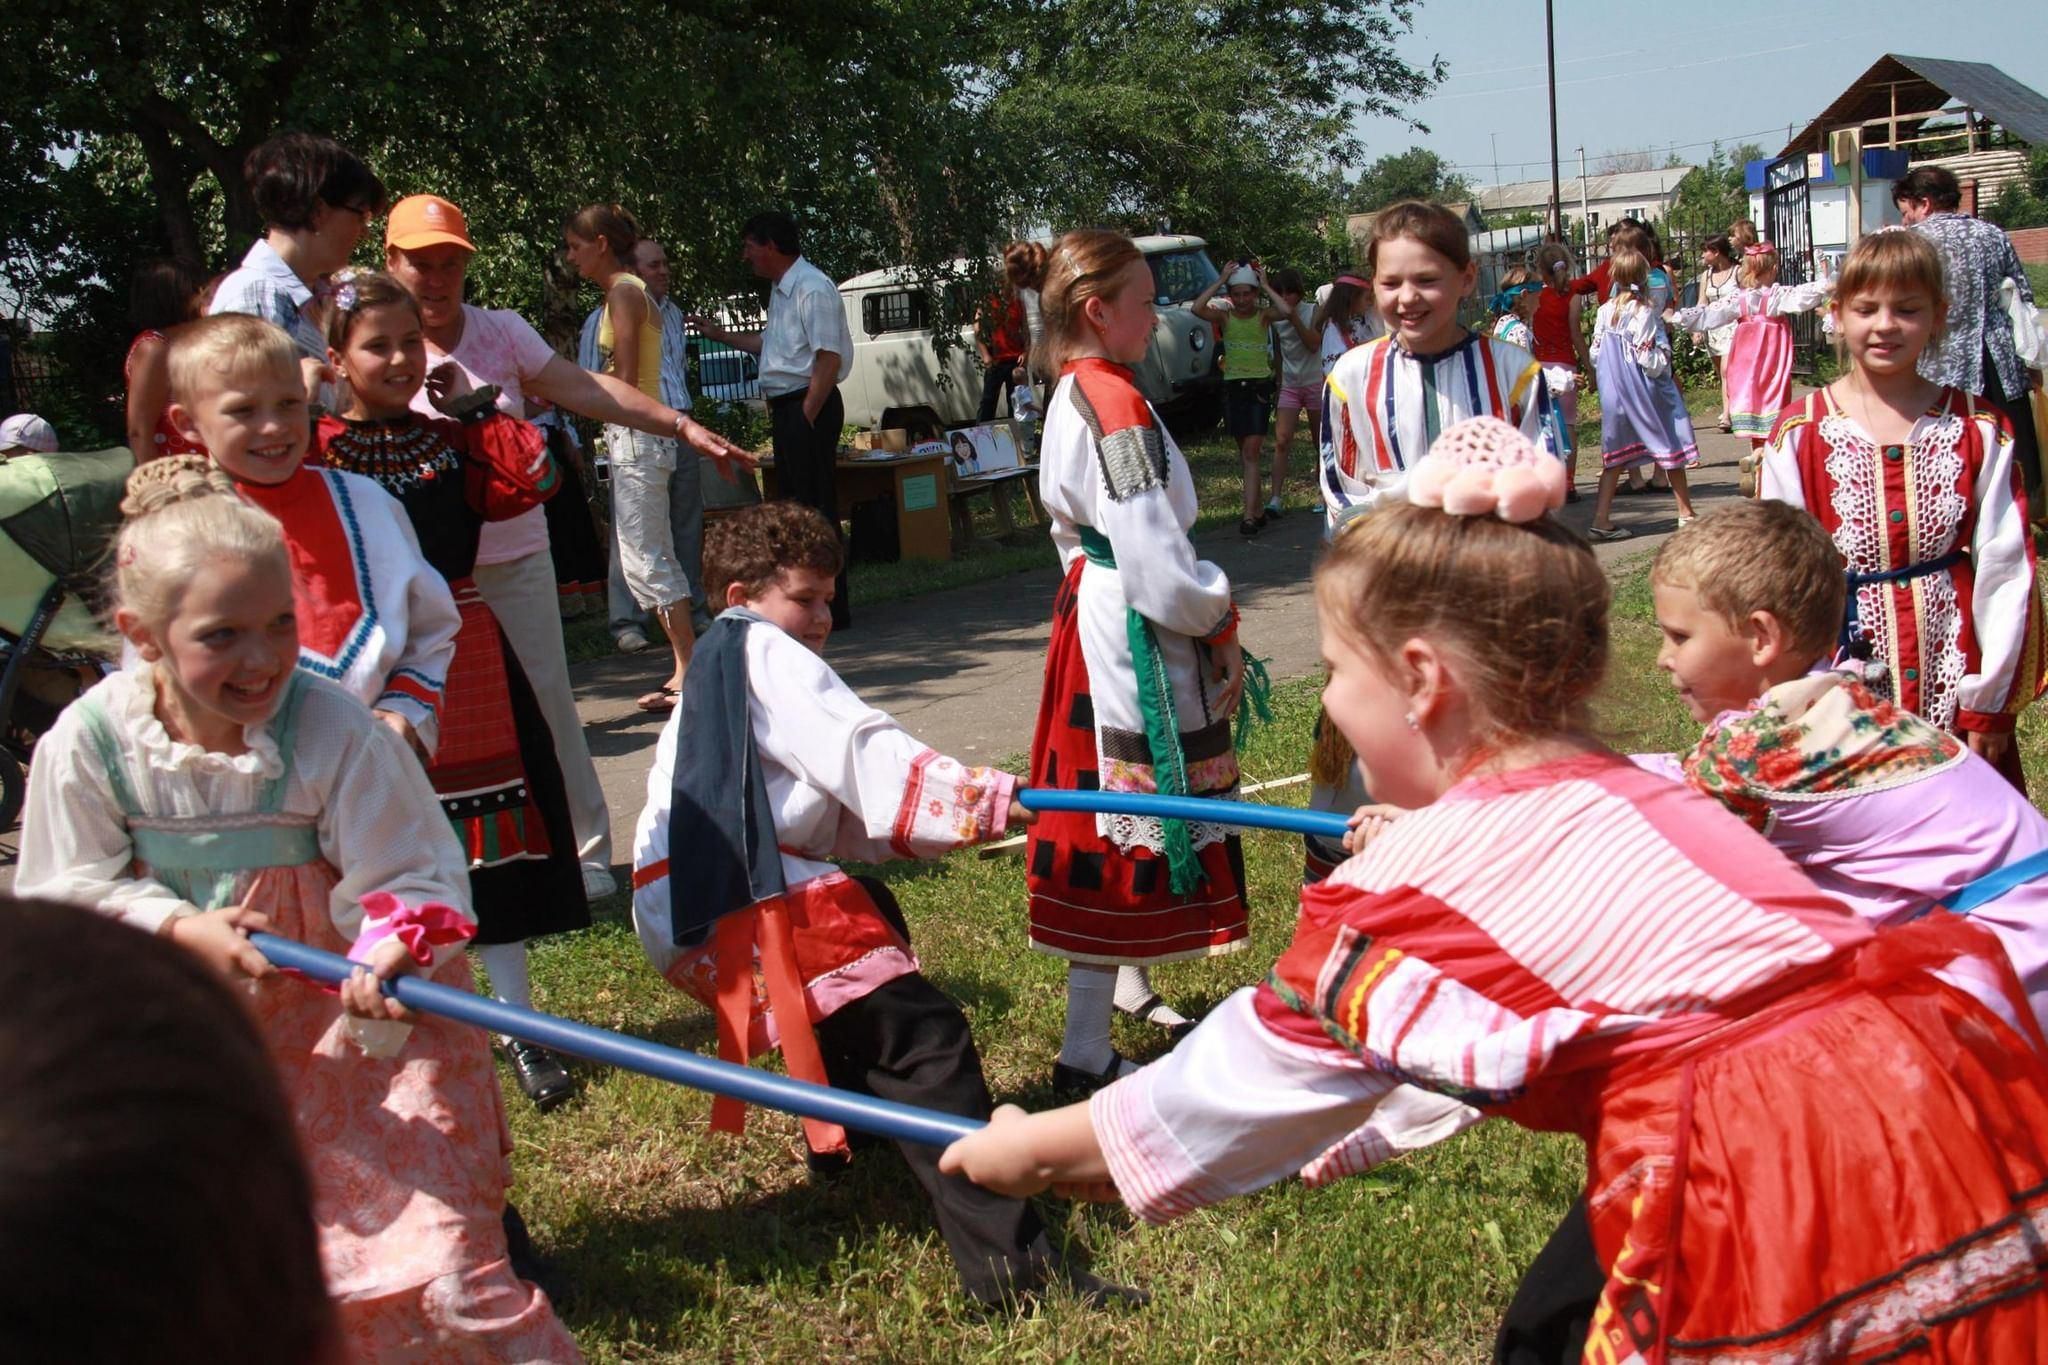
1129	697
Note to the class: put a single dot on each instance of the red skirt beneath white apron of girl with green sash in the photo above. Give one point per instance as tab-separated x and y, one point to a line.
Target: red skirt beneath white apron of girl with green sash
1093	901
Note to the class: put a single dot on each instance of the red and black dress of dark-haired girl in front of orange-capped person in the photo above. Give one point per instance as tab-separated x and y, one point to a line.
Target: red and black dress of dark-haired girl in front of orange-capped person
495	768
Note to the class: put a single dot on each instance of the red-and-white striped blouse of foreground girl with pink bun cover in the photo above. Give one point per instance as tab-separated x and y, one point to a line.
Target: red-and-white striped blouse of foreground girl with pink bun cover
1517	932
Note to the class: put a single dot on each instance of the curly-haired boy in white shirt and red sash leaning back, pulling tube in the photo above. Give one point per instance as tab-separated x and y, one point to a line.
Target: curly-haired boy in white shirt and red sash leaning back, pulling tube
767	770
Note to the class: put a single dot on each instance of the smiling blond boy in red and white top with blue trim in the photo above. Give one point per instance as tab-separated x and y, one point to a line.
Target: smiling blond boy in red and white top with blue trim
374	615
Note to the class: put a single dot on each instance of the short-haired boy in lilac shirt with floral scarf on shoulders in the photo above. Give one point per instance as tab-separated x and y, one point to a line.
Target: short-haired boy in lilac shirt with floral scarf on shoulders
1877	805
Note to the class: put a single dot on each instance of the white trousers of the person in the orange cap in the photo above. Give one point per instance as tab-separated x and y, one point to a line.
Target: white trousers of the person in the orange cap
523	597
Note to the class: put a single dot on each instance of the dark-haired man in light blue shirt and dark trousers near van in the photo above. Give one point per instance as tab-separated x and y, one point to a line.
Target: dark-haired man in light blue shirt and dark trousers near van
806	351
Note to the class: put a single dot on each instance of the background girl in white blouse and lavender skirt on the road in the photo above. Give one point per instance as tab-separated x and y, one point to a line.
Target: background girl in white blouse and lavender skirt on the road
1641	410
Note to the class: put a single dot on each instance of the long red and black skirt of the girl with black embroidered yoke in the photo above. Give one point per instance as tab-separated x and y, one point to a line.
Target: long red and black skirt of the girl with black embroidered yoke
501	785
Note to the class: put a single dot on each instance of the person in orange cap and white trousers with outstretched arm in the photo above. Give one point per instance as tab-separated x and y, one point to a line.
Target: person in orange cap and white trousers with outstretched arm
429	249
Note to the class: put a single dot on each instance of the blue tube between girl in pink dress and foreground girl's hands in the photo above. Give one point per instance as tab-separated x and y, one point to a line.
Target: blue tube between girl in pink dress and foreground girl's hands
638	1055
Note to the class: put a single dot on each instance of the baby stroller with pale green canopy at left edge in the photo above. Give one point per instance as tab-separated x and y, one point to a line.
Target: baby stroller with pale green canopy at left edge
58	513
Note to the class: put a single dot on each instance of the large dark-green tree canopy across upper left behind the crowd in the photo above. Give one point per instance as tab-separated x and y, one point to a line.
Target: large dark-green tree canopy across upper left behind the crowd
902	132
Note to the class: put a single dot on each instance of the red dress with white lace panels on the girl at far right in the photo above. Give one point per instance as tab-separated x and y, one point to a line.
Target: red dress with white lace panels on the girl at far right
1936	541
